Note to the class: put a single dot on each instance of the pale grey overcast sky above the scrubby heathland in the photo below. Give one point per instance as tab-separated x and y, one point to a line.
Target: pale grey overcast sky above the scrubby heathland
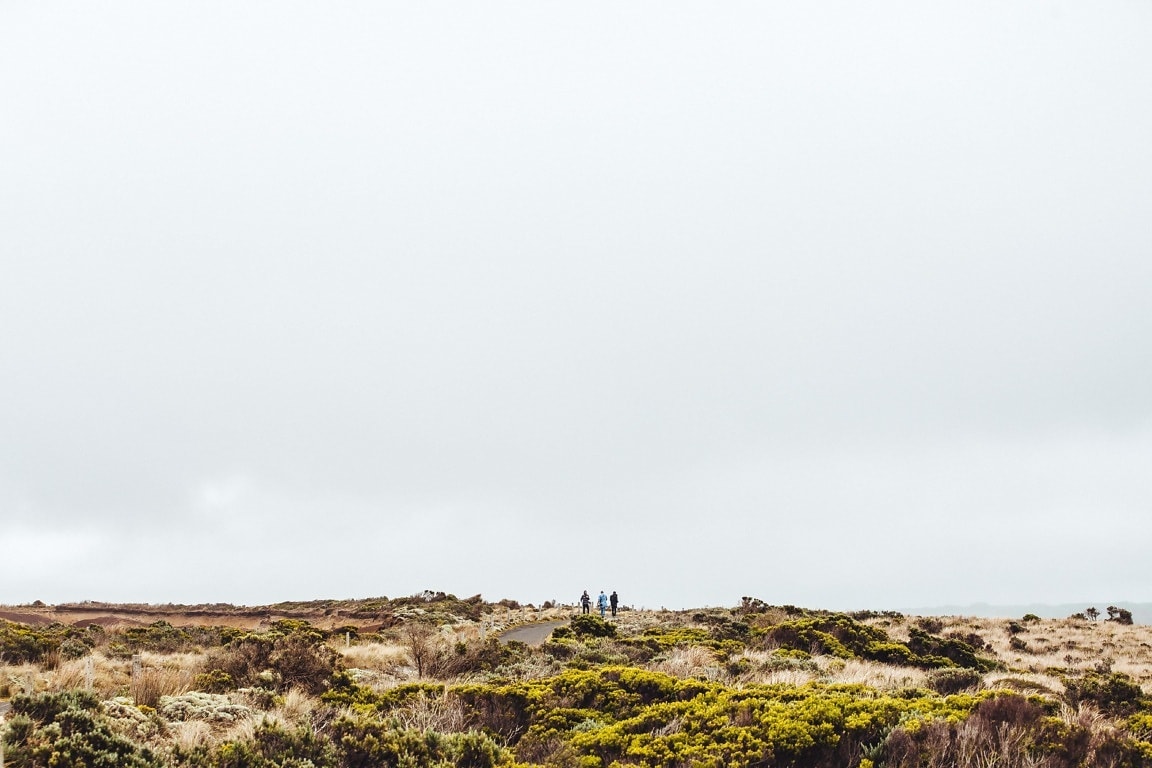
836	305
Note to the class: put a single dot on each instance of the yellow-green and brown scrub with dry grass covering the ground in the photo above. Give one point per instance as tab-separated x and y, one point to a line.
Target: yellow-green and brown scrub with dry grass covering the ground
755	686
